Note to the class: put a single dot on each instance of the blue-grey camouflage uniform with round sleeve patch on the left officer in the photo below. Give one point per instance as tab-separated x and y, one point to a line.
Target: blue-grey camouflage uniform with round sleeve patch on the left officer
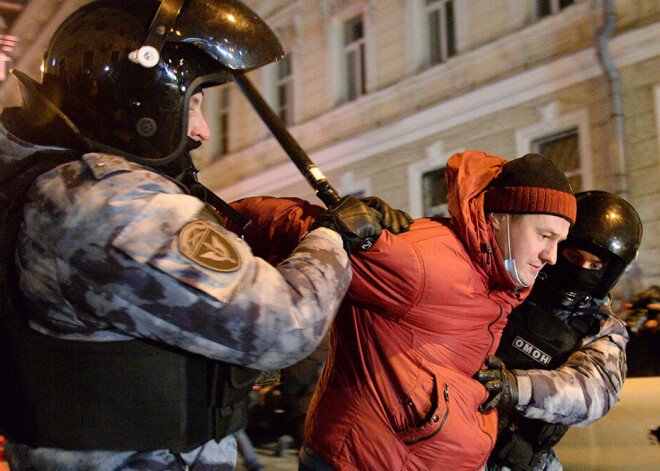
110	250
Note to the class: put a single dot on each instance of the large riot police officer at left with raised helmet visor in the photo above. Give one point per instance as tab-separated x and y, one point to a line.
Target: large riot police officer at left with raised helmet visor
148	319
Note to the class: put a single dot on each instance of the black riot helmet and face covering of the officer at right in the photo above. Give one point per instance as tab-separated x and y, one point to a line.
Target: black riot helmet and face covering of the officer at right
606	226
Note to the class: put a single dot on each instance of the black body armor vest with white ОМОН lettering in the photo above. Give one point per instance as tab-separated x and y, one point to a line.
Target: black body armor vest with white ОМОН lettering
535	339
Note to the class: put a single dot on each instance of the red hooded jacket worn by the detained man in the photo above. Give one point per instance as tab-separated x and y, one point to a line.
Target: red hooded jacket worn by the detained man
424	310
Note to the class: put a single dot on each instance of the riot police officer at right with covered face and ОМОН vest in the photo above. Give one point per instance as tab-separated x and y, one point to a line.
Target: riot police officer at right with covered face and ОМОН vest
561	361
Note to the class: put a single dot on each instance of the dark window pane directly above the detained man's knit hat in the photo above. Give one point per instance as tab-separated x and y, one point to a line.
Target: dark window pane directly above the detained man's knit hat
563	148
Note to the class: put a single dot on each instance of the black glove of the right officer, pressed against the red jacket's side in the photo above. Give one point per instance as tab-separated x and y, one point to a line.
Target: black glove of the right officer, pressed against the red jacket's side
500	382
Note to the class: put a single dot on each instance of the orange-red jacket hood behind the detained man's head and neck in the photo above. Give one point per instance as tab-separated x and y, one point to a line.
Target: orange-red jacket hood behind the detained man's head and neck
468	175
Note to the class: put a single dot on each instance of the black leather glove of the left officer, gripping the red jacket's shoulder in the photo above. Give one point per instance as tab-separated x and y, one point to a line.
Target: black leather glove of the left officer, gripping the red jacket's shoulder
357	224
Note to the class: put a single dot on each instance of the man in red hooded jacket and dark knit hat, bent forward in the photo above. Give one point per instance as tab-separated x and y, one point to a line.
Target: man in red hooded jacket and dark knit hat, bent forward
424	309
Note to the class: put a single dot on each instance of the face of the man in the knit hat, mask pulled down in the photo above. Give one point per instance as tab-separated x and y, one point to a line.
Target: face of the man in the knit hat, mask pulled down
534	239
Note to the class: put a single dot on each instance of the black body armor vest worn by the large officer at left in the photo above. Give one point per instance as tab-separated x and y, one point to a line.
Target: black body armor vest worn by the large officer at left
135	395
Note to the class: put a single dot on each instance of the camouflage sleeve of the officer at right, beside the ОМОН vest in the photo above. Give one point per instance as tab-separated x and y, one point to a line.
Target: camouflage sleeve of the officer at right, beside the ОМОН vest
584	388
